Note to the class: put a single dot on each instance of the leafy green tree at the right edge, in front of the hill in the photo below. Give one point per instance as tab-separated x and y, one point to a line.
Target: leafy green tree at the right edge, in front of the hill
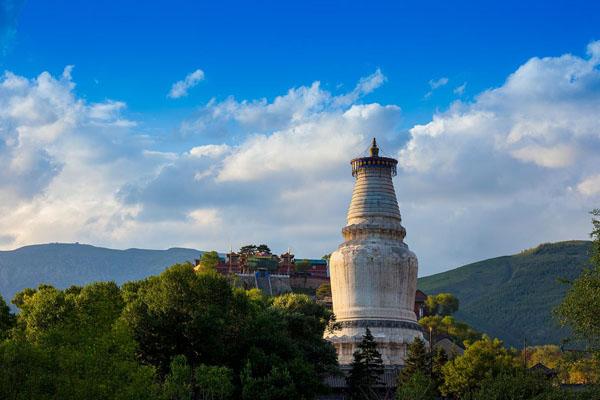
579	308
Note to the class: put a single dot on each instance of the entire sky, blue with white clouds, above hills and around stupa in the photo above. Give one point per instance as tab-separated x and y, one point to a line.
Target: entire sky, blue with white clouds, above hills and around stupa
426	77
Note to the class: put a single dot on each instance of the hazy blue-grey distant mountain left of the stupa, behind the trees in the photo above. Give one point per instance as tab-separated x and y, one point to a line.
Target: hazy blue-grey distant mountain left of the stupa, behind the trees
63	265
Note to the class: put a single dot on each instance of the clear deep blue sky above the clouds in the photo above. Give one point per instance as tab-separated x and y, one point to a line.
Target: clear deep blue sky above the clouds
259	49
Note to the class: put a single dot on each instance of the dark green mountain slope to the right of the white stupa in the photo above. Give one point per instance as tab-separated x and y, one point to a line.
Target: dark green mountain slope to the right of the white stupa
512	297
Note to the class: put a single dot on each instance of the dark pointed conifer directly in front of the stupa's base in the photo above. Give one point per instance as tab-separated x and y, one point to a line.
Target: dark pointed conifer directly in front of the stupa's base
366	369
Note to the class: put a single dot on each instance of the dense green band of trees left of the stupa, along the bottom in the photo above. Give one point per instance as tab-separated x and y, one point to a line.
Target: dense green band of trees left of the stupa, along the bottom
179	335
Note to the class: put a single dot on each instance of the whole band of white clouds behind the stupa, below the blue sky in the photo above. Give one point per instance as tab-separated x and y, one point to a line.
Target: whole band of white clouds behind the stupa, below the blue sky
515	166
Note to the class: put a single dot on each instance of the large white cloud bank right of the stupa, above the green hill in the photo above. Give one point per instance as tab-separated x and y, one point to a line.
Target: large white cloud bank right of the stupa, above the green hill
501	168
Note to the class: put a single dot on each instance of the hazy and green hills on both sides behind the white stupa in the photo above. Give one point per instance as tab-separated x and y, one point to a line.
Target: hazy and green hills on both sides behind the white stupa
509	297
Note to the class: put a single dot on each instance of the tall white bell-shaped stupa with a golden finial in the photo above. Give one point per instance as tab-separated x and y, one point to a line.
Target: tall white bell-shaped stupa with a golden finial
373	273
